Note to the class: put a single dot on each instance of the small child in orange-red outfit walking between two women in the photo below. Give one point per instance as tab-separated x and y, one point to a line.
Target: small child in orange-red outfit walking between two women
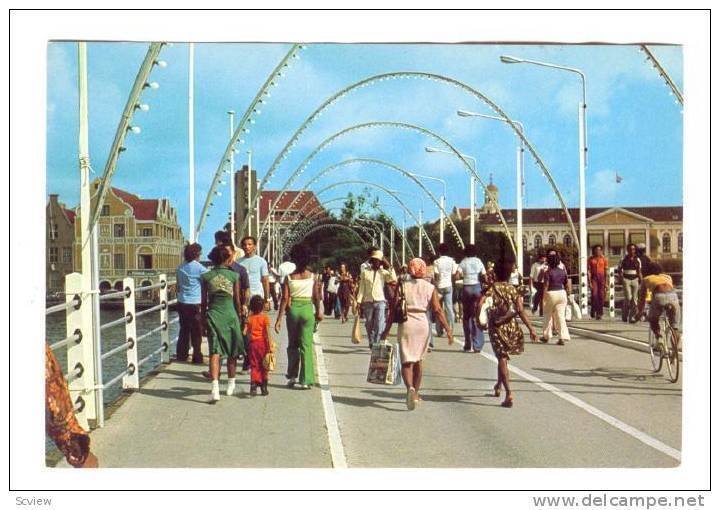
257	330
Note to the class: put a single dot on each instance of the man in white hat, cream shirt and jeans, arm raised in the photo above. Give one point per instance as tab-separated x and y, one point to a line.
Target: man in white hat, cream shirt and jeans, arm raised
371	295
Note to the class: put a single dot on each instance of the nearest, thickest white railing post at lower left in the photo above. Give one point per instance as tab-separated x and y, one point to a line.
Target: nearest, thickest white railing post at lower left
80	353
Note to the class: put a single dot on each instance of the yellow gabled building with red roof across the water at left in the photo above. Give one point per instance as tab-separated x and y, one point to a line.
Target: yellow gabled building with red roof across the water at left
137	237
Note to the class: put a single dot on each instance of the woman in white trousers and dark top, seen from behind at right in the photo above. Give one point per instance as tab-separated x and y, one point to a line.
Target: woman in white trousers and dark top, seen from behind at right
556	290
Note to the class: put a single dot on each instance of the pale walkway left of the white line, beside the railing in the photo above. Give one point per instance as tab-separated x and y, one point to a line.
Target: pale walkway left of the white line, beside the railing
169	422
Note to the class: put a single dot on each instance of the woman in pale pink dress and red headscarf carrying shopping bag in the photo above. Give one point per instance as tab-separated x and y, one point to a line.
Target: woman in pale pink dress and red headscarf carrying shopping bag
420	296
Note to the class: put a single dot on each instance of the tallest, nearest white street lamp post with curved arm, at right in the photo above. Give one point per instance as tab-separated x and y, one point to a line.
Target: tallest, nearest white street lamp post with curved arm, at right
582	136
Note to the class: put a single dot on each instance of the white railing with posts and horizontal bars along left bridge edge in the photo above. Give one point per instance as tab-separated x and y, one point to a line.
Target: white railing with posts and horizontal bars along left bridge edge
84	359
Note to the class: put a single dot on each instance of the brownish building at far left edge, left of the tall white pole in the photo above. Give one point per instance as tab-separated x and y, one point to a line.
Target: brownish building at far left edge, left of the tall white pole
60	237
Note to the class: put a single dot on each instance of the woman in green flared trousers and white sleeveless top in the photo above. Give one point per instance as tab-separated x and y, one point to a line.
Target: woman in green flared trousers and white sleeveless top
301	298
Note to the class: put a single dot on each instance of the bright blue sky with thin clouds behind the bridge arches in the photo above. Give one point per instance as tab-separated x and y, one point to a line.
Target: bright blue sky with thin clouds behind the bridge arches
634	125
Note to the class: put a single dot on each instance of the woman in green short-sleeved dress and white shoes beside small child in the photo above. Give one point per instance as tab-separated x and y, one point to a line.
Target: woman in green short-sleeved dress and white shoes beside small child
221	307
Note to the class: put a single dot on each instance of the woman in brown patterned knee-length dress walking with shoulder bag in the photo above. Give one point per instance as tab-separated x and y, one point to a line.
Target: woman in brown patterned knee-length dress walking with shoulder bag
506	337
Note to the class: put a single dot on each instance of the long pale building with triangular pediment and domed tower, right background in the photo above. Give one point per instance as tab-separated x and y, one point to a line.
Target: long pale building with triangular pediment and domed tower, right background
660	228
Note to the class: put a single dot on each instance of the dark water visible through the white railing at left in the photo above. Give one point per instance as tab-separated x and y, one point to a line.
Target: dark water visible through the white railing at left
110	338
